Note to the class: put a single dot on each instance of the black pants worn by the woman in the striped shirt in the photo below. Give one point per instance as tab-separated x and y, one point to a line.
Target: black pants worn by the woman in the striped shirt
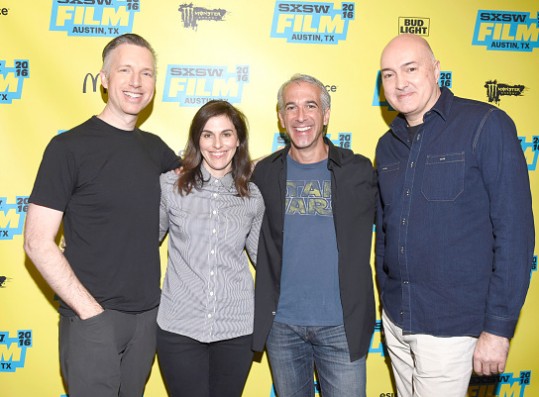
194	369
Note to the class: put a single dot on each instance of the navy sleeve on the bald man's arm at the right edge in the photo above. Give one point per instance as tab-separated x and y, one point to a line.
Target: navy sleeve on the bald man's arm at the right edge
505	175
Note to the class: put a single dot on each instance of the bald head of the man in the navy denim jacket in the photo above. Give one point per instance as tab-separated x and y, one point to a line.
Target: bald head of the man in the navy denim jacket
410	78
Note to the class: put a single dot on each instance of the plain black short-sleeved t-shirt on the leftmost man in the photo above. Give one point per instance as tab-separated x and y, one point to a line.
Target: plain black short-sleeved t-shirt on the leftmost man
106	181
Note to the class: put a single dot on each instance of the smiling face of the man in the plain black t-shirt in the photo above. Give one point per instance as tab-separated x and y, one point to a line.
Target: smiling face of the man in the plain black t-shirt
129	80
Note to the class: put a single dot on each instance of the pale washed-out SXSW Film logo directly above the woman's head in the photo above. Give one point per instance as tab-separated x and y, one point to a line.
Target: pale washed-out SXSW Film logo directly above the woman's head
194	85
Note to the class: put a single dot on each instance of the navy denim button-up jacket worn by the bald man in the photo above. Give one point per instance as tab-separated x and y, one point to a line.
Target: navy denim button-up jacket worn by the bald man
455	233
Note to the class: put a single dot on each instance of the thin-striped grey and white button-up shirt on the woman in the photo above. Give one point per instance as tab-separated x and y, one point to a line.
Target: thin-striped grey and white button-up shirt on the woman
208	291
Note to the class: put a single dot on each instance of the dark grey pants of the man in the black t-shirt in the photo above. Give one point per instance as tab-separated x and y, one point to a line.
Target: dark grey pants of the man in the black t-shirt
108	355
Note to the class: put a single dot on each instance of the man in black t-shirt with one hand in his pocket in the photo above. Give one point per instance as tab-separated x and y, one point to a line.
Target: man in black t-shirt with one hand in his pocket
101	179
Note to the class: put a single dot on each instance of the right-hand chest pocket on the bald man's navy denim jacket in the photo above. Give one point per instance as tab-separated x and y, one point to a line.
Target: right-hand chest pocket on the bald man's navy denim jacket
443	179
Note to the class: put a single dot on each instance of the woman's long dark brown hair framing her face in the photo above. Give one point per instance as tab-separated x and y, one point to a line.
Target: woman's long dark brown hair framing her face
191	175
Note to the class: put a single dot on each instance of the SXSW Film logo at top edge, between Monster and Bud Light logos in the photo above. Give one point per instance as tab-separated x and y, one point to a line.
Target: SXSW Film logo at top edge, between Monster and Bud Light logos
311	22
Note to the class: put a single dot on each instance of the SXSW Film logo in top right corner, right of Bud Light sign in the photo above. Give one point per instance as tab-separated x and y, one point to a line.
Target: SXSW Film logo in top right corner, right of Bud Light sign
506	31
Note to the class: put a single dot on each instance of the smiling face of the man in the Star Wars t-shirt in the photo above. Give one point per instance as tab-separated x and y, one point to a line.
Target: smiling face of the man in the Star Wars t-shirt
302	115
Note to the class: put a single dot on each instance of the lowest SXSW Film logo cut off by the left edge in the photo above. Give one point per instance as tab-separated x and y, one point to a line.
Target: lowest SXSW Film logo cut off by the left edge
13	350
